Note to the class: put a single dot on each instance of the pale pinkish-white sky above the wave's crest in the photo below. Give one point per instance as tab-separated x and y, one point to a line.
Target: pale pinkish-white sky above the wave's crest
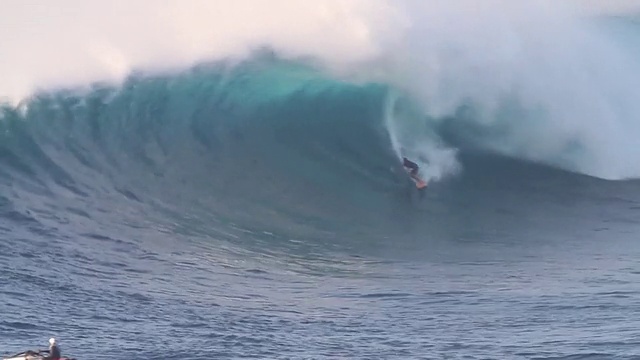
70	42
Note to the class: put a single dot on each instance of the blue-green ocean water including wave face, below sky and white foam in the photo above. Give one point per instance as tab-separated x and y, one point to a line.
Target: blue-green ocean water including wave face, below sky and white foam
259	209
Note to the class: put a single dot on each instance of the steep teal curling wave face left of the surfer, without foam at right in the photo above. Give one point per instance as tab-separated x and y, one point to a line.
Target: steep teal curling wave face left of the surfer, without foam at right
263	141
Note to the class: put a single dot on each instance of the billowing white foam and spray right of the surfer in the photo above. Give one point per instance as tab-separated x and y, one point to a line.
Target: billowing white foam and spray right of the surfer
573	85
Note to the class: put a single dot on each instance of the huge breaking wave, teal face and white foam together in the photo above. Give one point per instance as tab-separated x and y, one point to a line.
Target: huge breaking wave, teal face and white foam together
268	138
